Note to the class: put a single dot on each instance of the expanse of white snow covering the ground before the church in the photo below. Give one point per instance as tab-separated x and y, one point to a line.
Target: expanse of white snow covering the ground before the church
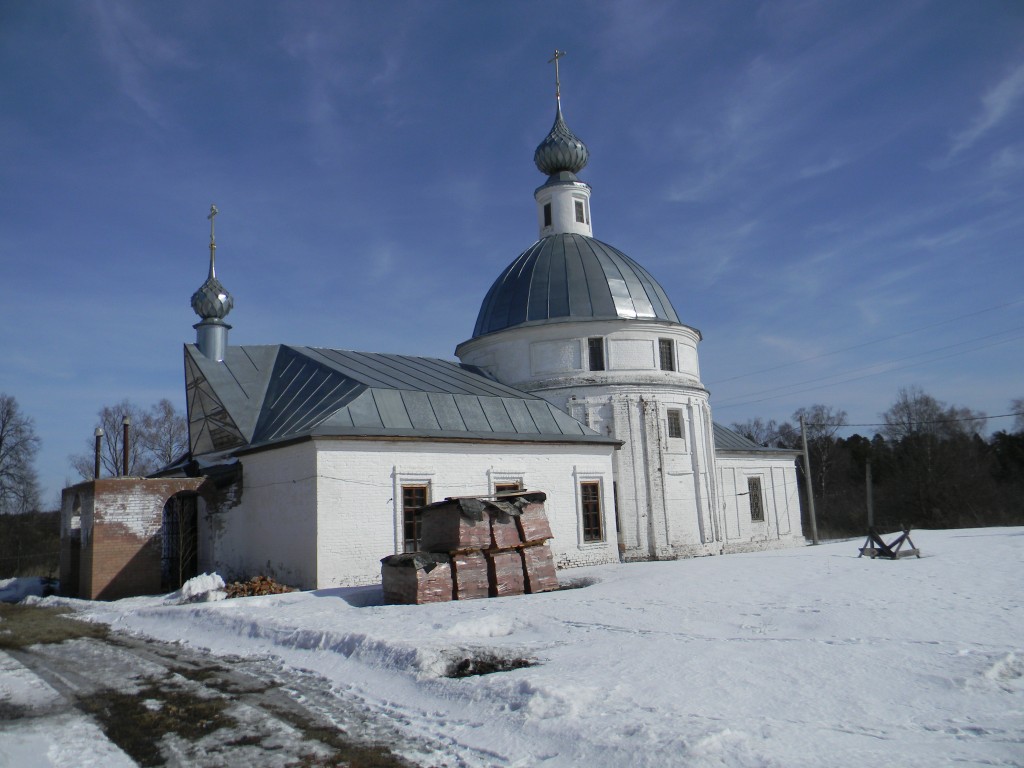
798	658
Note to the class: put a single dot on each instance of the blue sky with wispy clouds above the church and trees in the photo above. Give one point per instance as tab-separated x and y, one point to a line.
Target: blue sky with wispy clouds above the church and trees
831	192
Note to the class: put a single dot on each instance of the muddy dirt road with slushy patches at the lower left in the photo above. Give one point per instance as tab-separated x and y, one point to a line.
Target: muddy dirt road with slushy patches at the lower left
167	705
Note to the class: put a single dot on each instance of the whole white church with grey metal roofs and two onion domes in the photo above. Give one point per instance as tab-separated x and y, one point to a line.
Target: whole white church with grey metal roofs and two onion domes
579	380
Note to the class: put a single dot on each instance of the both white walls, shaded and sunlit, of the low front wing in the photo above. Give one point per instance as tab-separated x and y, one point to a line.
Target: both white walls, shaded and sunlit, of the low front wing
323	514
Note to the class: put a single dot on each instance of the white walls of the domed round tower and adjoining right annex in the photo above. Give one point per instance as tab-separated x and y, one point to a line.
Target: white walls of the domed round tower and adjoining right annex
673	500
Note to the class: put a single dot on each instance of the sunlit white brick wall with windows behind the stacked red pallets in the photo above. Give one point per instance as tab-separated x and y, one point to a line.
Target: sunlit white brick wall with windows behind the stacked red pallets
360	499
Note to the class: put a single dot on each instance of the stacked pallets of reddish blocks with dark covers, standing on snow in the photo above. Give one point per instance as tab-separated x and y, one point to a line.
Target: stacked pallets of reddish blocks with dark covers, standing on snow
476	547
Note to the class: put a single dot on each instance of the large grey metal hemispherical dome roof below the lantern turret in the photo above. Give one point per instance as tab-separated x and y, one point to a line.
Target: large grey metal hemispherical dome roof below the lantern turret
568	278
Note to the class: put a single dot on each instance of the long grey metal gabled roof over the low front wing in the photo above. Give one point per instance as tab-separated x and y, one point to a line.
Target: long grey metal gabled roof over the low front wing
265	395
